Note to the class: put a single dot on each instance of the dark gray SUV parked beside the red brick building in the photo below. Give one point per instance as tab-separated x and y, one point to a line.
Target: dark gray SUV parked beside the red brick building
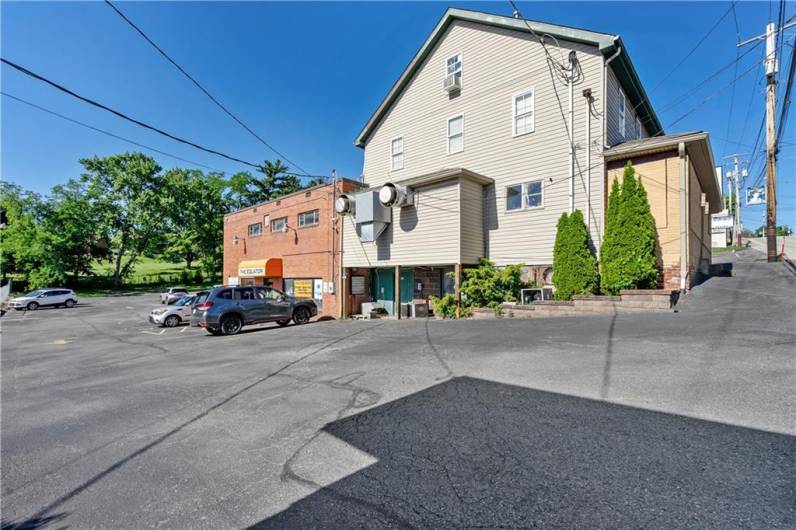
227	309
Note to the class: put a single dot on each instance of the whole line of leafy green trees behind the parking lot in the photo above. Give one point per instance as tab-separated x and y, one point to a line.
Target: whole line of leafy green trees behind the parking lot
122	208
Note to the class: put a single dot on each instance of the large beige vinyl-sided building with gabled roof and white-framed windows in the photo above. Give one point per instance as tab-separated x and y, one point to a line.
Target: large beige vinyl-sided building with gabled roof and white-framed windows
476	132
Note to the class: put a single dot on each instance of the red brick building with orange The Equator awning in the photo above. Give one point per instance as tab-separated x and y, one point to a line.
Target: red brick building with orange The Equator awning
290	243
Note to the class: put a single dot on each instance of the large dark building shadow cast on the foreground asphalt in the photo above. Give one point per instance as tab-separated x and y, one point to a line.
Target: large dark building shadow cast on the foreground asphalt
475	453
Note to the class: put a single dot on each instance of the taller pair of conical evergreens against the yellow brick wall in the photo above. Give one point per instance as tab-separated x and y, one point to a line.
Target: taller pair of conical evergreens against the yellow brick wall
628	258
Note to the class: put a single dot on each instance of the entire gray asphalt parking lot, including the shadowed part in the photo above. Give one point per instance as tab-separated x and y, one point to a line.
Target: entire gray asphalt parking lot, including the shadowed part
653	420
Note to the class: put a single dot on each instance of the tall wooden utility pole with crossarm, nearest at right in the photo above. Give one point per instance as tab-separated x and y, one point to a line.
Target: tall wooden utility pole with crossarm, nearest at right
772	67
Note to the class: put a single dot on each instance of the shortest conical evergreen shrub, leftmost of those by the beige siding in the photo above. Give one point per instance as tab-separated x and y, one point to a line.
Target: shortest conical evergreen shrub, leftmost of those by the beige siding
574	265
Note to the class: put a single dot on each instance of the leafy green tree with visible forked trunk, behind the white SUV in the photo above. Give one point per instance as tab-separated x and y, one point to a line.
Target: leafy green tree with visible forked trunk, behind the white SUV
125	190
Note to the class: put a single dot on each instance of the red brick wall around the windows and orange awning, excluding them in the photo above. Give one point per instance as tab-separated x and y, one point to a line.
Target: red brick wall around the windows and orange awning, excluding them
309	252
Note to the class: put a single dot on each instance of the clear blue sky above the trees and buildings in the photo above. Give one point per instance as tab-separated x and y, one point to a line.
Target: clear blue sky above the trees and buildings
306	76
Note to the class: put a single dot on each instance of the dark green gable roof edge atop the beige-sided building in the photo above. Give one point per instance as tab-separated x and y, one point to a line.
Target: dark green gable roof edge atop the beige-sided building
606	43
